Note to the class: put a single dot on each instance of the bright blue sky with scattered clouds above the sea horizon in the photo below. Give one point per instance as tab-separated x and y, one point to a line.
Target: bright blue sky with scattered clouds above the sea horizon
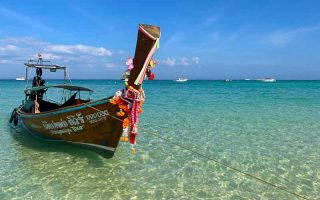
200	39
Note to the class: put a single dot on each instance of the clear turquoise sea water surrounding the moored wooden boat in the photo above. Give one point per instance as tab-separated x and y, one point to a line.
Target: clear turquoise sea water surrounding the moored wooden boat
269	130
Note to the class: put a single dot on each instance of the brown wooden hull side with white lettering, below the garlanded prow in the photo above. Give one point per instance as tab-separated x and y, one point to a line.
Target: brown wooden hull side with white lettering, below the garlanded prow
92	124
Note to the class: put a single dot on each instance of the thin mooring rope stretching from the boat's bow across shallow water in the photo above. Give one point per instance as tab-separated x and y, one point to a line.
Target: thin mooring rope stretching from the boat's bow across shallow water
279	187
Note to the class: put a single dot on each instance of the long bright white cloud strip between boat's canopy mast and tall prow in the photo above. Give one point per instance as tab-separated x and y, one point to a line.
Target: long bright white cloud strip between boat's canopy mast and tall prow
83	49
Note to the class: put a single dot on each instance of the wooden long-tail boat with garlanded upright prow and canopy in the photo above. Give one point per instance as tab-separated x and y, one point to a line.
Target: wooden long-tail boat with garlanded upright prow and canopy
99	124
